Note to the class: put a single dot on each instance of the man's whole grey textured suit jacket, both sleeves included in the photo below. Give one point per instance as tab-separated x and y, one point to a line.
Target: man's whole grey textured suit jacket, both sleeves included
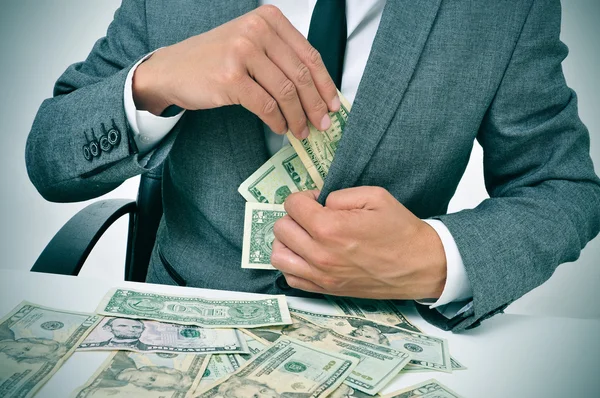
440	75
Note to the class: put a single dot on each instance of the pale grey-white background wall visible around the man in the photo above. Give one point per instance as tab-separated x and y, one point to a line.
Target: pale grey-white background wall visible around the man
39	39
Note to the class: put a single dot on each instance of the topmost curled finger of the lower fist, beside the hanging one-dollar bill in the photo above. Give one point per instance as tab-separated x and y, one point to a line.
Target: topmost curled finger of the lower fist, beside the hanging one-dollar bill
304	209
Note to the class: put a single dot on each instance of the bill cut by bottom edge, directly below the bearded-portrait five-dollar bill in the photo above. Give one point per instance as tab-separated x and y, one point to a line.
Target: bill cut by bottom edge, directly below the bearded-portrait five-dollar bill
133	374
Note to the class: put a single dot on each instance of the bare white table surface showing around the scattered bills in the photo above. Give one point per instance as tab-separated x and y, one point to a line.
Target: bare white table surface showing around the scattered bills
507	356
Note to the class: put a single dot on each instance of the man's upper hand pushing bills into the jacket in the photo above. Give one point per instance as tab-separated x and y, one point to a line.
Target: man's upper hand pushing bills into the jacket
258	60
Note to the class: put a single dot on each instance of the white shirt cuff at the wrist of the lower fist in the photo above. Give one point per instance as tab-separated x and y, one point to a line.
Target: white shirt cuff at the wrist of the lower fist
457	286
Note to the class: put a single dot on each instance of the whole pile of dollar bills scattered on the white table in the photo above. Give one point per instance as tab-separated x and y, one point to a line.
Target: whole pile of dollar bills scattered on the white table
184	346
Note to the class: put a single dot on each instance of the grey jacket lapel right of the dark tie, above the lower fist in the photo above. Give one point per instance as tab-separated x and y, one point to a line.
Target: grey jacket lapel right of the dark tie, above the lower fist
402	34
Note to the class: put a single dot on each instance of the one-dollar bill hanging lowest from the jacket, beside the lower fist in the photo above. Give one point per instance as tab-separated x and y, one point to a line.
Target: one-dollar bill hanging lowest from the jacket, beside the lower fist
258	234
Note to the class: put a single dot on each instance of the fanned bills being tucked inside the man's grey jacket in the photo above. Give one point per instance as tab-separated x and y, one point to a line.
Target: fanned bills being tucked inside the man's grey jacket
299	166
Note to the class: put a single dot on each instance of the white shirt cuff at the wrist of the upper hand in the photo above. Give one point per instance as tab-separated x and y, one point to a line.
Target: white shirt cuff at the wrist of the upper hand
148	129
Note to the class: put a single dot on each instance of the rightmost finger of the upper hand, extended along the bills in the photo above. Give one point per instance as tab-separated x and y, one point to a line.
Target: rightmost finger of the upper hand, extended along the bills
306	53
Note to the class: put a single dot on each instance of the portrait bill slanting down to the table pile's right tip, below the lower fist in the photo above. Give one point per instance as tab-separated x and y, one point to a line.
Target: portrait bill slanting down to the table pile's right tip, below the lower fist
426	351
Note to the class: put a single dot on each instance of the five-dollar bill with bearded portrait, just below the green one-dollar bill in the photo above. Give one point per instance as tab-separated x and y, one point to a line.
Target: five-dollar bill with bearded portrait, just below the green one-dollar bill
153	336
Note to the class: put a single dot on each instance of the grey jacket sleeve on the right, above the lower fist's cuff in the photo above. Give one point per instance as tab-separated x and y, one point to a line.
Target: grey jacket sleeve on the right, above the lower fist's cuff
544	203
